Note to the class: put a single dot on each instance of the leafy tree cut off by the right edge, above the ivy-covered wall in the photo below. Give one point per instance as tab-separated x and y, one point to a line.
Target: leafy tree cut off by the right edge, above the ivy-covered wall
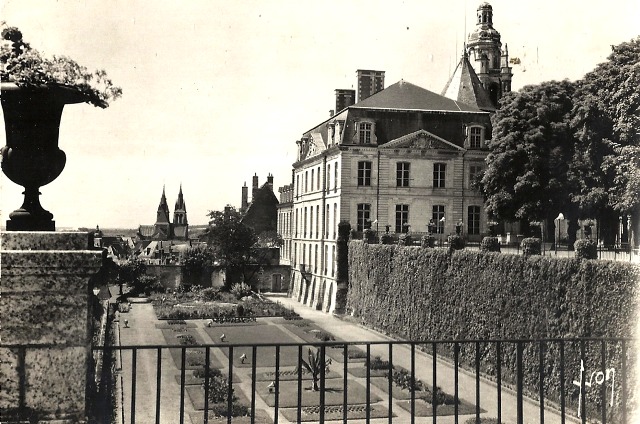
606	119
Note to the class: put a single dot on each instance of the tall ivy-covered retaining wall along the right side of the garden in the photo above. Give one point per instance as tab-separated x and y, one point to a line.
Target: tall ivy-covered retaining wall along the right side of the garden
432	294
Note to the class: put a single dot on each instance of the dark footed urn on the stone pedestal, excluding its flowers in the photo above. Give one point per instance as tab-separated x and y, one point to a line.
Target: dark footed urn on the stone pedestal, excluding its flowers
31	157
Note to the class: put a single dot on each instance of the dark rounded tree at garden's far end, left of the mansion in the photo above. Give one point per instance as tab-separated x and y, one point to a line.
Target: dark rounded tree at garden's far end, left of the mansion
230	240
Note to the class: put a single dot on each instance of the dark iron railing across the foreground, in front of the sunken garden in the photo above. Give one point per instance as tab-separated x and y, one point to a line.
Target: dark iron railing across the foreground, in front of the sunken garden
514	381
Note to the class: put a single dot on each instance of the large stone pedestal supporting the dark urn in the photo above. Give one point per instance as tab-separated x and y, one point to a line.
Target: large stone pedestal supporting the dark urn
46	339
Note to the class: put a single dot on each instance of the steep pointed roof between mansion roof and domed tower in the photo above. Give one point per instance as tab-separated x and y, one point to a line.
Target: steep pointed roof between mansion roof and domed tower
465	86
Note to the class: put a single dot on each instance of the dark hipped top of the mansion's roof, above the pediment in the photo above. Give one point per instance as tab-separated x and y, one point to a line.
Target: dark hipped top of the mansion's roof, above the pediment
406	96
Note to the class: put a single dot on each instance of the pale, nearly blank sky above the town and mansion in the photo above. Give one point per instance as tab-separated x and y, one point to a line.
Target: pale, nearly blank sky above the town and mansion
217	91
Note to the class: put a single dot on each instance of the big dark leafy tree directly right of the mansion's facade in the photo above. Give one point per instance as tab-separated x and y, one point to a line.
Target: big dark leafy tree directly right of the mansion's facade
525	178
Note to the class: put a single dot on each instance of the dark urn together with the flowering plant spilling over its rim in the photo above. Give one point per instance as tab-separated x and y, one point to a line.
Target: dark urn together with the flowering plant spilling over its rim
34	92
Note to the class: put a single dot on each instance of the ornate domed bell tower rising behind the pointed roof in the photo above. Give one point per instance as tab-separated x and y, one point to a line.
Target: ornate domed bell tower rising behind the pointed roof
491	62
